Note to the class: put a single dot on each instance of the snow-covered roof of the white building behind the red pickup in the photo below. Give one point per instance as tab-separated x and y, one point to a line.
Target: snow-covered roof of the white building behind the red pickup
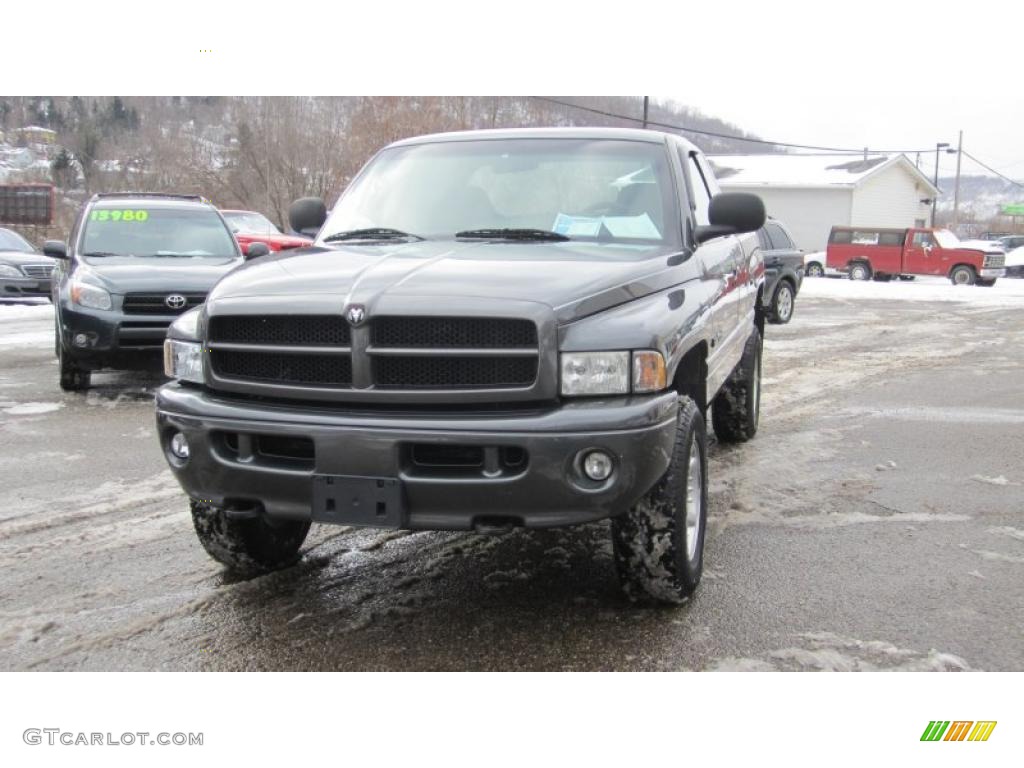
808	172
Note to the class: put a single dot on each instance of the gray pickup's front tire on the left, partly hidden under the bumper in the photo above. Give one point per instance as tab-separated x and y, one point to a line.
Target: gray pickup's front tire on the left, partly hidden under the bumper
248	546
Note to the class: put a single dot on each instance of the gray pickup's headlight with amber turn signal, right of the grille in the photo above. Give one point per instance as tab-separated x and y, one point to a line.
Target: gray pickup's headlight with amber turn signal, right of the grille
610	373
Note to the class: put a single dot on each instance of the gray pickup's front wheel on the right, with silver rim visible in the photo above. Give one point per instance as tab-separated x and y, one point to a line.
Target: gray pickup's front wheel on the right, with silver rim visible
659	544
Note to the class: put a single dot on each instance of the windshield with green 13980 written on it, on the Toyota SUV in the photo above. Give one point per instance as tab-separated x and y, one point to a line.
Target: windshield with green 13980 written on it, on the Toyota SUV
137	231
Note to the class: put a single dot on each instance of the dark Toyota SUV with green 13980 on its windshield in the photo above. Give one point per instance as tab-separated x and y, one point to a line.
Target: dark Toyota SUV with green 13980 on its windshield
135	263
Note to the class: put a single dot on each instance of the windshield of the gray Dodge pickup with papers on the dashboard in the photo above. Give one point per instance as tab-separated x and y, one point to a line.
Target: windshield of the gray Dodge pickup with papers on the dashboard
589	190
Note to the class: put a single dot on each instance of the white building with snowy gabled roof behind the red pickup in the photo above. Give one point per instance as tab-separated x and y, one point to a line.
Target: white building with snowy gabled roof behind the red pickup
810	194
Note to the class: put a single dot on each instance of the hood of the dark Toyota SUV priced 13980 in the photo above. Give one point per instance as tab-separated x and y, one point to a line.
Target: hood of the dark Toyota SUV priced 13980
132	275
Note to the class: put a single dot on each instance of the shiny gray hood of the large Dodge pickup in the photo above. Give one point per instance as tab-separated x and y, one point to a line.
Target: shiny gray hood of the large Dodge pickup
575	279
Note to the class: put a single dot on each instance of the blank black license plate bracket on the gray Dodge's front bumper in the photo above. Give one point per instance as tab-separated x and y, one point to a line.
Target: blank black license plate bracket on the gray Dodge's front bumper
354	500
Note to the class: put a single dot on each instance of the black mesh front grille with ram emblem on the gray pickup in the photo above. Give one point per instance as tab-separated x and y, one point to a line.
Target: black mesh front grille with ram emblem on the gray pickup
389	354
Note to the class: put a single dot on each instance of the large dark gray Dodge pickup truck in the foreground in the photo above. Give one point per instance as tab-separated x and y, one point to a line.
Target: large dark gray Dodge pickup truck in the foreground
493	329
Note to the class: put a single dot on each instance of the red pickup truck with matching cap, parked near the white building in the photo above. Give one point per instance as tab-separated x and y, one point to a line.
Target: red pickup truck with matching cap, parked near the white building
865	253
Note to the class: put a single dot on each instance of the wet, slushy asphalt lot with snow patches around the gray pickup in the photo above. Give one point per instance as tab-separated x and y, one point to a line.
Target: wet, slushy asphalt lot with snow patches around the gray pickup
875	523
